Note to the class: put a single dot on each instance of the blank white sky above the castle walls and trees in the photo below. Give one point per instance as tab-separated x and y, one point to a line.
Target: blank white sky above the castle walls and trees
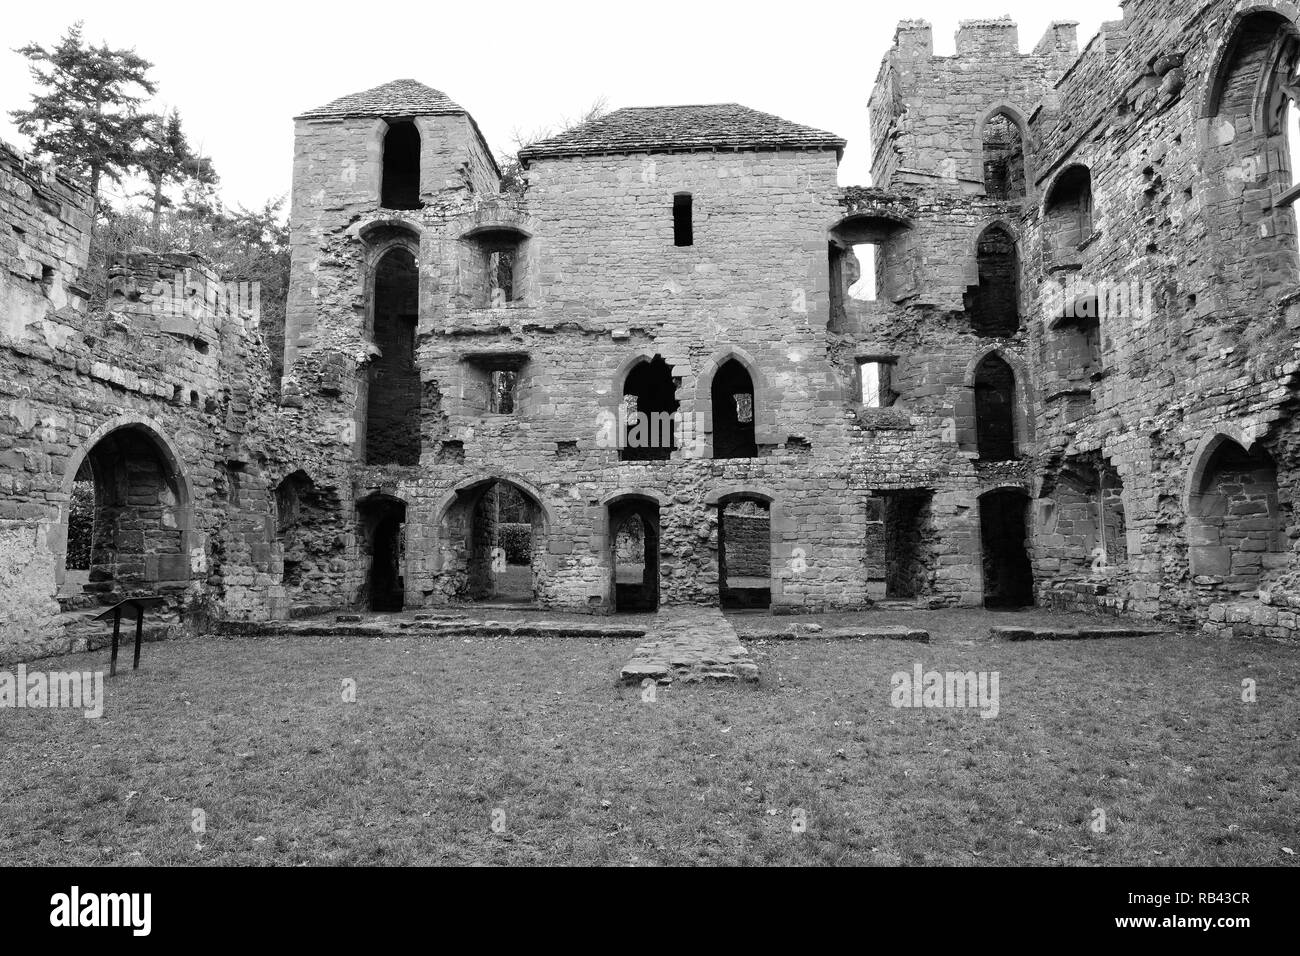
241	71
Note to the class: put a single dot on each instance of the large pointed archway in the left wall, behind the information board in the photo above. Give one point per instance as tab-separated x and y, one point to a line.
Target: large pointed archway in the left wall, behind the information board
125	522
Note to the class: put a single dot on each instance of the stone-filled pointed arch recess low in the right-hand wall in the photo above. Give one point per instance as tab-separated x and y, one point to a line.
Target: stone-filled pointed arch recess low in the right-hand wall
1236	521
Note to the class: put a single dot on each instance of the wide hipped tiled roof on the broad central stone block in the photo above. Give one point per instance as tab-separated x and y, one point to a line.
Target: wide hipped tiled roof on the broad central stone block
683	129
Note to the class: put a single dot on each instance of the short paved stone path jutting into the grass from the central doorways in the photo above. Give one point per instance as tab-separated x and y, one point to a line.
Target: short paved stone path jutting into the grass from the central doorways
691	644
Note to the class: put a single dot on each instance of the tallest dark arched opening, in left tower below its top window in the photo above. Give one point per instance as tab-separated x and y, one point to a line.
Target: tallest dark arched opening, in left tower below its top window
393	393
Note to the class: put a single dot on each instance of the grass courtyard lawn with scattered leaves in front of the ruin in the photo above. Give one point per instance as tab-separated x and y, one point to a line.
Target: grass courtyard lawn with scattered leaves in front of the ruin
449	736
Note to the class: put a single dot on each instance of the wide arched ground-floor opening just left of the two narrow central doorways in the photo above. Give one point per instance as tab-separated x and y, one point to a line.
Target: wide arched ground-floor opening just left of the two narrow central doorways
506	543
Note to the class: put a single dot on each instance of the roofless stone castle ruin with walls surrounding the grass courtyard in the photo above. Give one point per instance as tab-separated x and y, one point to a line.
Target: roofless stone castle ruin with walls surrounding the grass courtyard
660	377
